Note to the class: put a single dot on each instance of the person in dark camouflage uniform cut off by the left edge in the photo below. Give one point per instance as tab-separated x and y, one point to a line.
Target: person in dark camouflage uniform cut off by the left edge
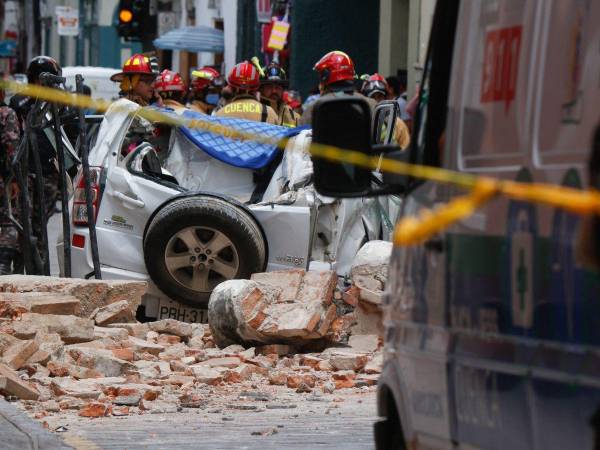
9	140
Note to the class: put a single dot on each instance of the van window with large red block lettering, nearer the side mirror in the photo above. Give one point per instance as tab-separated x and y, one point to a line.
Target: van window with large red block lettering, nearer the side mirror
496	93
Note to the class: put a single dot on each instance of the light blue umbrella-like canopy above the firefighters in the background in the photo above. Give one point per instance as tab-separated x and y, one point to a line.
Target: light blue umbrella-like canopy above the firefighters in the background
192	39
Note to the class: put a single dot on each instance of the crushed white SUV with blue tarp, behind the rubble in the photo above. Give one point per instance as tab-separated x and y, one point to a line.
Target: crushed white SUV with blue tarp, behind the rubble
198	209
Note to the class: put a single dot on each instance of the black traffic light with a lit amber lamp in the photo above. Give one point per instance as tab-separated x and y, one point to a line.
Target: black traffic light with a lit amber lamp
135	22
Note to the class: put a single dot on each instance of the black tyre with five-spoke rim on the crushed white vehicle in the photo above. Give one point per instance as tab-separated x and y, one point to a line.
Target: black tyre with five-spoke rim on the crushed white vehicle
195	243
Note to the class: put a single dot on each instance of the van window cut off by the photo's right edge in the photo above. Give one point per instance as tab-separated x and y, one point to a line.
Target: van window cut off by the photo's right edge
569	86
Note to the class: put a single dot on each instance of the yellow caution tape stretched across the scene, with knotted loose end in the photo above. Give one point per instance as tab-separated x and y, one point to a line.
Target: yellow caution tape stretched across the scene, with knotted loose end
410	230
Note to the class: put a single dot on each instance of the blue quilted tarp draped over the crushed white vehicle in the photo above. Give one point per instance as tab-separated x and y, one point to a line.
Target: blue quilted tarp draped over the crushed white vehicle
245	154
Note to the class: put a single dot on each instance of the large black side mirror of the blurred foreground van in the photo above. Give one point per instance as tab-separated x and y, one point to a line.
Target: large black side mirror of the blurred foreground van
343	122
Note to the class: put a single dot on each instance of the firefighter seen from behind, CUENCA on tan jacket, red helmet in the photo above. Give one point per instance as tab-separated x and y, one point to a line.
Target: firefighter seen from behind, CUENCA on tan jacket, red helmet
244	79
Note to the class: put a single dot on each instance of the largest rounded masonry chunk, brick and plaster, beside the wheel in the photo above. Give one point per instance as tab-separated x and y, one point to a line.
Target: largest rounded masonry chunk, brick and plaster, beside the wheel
249	312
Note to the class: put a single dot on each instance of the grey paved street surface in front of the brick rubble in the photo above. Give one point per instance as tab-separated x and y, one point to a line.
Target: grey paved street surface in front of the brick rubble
340	421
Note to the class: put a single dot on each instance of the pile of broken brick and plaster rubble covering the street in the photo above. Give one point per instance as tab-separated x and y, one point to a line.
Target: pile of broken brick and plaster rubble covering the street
56	359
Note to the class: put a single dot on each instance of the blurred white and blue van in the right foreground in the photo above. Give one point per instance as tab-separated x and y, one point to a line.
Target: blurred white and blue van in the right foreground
492	336
